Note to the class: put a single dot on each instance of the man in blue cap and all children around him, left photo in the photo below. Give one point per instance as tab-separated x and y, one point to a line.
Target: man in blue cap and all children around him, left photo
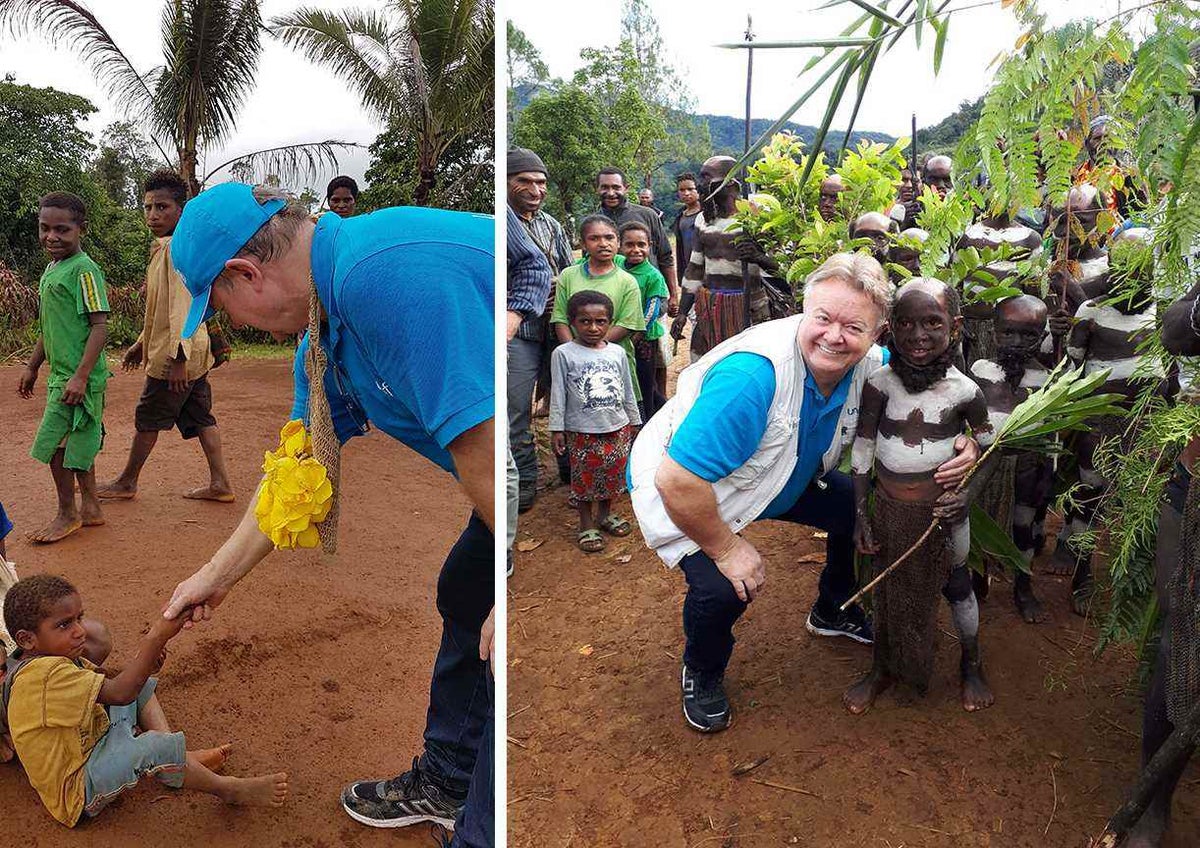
86	732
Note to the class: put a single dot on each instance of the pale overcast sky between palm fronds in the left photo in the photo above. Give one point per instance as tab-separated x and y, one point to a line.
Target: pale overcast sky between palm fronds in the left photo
293	103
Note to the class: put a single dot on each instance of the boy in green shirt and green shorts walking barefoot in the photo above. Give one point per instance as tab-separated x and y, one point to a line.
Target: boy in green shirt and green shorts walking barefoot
74	320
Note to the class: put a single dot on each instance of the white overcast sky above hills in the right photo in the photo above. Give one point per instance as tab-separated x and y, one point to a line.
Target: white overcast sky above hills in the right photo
903	81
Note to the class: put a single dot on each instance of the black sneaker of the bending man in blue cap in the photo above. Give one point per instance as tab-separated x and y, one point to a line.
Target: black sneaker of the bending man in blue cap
404	801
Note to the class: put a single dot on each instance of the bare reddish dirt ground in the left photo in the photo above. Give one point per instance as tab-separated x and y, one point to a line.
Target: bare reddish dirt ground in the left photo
316	667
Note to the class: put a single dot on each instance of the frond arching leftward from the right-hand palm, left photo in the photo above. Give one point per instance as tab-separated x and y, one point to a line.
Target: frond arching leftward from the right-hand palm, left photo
359	46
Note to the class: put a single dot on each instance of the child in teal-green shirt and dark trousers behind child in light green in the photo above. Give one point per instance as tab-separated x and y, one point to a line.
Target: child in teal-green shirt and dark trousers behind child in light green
652	365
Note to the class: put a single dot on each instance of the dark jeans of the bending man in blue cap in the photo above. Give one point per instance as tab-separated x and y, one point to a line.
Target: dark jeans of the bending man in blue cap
459	729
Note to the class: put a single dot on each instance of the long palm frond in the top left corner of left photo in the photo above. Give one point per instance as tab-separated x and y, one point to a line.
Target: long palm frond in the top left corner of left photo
67	23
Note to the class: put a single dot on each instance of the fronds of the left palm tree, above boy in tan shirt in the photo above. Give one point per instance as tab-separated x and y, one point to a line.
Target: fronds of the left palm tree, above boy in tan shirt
190	104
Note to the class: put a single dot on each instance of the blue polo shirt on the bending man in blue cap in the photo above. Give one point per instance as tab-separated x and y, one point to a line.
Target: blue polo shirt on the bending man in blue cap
410	298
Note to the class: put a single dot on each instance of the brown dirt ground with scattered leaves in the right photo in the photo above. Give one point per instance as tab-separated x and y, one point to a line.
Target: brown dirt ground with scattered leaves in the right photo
599	753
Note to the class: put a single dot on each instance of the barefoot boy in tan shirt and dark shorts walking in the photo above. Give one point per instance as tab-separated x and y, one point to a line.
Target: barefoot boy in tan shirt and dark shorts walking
177	390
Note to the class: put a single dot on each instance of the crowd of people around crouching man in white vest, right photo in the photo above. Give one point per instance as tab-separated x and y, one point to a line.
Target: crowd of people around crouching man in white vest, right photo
911	377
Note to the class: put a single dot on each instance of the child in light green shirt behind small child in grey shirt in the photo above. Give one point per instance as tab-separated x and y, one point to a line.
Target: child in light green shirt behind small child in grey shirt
599	273
